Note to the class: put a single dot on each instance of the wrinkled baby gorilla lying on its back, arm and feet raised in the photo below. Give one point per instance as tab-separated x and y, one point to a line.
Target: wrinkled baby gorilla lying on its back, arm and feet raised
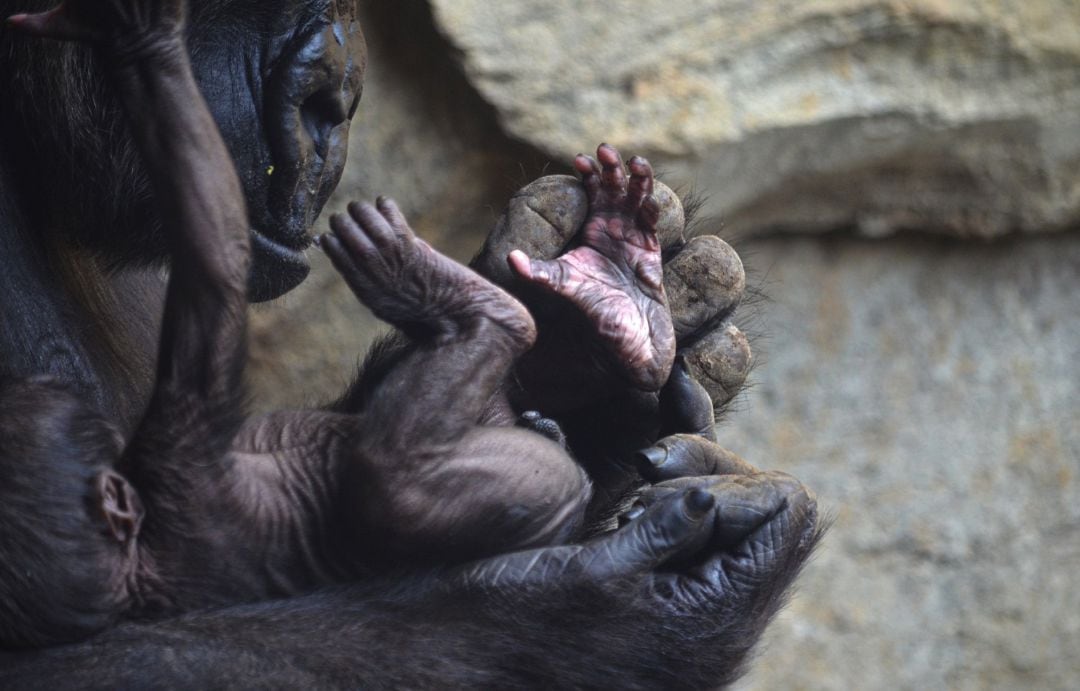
204	508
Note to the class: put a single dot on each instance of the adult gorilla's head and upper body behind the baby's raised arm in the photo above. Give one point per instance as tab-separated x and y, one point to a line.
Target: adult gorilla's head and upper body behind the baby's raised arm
83	295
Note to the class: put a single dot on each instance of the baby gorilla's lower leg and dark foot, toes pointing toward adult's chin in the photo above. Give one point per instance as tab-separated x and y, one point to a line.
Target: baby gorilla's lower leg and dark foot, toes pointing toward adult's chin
466	332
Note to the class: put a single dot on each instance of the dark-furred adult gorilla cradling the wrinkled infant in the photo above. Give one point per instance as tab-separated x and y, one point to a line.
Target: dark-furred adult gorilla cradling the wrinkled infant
679	597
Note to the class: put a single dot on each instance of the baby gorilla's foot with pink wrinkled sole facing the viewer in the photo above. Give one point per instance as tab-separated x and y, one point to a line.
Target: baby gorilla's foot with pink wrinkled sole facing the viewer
615	276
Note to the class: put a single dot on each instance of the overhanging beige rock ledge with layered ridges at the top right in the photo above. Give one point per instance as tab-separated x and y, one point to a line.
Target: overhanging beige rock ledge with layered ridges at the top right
954	116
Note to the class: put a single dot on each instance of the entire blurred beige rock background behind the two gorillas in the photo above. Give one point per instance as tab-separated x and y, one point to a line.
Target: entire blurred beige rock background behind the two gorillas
903	181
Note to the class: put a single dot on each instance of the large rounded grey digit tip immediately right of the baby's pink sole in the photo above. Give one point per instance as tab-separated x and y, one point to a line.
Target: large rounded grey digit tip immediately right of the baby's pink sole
705	282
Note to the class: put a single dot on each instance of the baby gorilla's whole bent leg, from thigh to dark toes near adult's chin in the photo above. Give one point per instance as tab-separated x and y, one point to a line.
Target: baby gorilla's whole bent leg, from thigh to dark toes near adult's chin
421	469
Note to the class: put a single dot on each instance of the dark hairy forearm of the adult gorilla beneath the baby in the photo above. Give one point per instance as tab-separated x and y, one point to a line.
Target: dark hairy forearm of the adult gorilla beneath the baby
415	635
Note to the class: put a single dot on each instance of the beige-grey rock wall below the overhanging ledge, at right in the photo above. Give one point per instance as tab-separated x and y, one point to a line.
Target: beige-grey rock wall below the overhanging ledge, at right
929	391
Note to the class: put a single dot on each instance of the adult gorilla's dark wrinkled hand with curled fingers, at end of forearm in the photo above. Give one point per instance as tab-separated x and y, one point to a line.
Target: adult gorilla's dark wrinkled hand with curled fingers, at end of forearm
677	598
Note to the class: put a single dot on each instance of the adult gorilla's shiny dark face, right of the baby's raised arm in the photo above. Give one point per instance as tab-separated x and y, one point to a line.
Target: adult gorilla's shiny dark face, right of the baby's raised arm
283	79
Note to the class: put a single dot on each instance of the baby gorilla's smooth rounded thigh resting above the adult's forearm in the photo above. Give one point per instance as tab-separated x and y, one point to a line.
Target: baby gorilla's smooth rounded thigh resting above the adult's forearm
495	491
